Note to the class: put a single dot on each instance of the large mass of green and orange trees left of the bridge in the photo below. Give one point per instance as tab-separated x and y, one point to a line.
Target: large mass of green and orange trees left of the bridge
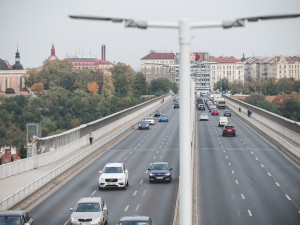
66	98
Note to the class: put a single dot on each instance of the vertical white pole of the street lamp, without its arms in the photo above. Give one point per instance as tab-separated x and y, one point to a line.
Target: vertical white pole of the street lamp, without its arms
185	182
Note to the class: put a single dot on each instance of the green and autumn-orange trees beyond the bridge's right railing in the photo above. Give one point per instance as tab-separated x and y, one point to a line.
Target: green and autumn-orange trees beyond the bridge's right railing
287	100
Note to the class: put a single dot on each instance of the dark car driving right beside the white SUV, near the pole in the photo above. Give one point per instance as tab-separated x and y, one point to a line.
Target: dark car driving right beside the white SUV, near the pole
160	171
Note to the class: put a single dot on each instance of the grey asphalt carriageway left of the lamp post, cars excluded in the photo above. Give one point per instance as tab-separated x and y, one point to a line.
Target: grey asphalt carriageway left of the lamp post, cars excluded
138	150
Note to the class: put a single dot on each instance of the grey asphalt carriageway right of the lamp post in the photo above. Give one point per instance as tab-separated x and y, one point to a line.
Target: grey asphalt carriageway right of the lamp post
243	179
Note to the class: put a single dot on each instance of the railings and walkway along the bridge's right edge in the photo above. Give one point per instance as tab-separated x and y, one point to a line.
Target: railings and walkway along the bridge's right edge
267	121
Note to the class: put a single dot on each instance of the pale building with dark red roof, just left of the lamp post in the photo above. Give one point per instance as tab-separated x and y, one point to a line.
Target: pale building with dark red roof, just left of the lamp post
158	65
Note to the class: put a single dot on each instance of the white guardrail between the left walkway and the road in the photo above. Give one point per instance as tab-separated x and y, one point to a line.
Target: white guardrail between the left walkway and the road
34	186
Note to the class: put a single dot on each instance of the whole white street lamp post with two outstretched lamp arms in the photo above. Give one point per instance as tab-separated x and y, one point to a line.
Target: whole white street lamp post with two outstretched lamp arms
184	26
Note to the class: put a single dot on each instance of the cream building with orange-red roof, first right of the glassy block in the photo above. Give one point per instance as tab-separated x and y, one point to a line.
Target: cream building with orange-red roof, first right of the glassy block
226	67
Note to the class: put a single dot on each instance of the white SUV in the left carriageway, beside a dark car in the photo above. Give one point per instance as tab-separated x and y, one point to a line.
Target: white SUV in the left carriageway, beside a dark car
114	175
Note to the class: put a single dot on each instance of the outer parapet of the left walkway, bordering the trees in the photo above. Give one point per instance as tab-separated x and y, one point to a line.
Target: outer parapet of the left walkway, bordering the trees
52	148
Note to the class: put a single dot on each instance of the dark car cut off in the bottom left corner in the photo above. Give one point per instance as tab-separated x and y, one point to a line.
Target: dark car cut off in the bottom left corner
20	217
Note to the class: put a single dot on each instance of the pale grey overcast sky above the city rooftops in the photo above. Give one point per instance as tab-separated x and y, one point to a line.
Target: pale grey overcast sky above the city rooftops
37	24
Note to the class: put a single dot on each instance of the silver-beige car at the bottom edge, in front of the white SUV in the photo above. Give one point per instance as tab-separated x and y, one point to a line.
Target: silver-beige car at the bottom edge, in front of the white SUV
90	210
